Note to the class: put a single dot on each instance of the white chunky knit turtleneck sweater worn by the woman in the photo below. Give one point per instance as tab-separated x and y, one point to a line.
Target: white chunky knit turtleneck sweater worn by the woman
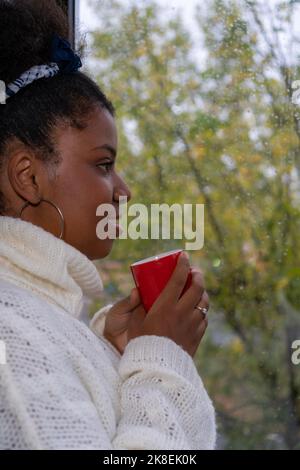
64	386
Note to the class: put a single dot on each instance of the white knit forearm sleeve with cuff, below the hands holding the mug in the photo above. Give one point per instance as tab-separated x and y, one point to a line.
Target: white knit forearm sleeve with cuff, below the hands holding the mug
164	402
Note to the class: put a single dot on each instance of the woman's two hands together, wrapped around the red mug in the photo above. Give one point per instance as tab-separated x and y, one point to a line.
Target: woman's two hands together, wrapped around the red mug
170	316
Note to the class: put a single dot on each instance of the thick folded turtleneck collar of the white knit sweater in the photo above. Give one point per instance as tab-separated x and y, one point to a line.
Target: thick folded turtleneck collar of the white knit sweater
34	259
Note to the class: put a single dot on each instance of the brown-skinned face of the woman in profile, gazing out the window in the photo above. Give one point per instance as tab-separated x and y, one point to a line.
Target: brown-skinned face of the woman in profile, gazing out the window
85	178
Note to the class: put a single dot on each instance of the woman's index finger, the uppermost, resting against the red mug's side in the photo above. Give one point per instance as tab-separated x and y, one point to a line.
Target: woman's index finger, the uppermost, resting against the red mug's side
176	283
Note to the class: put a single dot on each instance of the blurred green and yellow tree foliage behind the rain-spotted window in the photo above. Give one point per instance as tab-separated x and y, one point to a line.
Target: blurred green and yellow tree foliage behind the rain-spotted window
218	129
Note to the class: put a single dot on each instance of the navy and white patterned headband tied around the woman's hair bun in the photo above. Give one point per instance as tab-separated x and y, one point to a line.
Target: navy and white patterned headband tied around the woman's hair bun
63	60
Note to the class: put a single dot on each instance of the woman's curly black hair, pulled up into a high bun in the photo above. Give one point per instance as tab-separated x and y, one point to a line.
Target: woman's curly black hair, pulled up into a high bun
37	110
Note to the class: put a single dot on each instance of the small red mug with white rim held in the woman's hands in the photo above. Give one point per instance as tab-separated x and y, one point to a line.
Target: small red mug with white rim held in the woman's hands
152	274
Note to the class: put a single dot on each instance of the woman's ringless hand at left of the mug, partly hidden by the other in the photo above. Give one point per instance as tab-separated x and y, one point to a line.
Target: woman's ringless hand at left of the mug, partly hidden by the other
117	320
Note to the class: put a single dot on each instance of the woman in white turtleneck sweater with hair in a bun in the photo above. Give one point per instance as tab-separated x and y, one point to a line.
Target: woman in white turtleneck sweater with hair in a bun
128	381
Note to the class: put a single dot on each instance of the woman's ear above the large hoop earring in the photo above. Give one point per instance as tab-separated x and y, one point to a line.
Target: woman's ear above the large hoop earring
24	175
